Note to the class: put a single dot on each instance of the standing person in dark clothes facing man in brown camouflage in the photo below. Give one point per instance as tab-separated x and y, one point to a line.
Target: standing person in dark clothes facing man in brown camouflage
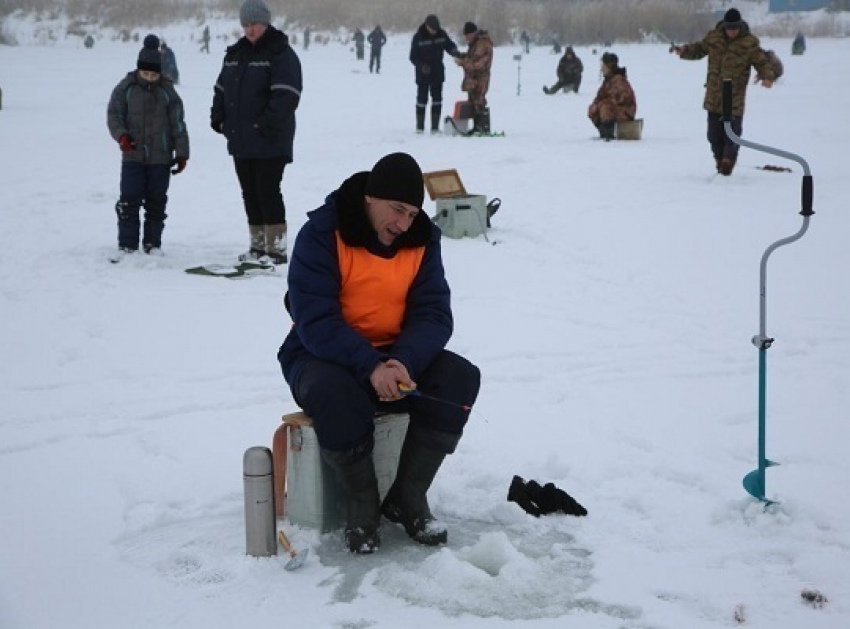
426	54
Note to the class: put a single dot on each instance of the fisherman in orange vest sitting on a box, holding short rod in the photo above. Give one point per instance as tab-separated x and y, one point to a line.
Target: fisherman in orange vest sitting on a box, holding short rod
371	318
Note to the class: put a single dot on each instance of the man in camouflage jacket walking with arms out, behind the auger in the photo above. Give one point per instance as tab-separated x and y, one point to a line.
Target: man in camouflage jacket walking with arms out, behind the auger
732	50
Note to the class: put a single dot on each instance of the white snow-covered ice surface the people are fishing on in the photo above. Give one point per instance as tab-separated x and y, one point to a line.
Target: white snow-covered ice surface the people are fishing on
610	313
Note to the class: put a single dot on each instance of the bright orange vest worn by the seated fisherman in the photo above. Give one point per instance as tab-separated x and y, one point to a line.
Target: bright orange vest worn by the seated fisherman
373	291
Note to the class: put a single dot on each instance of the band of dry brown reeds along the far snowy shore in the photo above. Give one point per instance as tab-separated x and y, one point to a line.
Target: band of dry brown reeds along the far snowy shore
578	22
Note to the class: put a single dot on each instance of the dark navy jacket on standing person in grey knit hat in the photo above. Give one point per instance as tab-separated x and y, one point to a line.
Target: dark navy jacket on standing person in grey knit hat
256	95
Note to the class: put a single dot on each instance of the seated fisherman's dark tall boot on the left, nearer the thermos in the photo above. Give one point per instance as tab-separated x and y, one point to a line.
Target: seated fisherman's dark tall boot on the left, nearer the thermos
355	471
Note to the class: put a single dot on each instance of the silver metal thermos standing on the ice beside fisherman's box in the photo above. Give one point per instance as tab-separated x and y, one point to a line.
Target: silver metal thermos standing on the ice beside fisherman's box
260	524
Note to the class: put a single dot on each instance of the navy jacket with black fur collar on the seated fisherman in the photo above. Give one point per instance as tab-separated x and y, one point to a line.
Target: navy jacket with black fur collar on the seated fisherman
319	330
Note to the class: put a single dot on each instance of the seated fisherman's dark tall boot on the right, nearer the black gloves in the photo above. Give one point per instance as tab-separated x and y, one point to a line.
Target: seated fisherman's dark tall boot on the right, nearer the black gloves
406	503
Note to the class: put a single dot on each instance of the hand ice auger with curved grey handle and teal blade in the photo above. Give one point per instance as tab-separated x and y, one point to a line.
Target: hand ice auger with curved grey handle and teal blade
754	482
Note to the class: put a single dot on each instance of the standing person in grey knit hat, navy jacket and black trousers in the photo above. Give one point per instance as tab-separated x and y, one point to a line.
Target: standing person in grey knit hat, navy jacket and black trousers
256	95
